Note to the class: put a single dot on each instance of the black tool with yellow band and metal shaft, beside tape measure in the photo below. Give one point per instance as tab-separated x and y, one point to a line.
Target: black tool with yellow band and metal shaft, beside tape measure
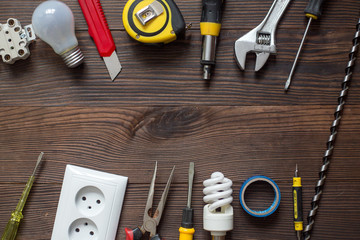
210	25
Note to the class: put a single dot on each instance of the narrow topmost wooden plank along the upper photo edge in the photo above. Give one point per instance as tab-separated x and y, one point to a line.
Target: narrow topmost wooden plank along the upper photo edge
337	14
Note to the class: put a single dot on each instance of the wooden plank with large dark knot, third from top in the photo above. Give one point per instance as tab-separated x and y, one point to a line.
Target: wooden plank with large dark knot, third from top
120	140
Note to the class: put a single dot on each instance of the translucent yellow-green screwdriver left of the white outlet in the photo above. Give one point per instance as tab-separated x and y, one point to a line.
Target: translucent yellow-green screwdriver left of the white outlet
16	216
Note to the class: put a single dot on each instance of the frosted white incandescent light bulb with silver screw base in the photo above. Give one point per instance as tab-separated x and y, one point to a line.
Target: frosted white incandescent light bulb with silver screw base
53	22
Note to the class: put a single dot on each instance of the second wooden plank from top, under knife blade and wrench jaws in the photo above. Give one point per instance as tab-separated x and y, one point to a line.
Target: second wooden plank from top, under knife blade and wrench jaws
176	76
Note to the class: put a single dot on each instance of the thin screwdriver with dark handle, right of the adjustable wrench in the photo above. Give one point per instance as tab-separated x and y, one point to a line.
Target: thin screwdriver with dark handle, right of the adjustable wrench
313	12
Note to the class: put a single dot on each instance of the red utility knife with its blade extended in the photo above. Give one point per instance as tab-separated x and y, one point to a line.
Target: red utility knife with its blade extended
99	31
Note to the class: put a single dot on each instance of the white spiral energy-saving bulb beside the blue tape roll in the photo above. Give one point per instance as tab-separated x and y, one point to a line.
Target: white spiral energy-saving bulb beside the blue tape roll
218	213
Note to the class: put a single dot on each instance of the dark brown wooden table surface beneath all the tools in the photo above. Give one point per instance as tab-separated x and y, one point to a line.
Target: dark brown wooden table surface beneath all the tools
160	109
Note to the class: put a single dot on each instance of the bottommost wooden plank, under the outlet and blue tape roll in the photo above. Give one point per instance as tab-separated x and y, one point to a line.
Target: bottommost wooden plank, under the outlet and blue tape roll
339	214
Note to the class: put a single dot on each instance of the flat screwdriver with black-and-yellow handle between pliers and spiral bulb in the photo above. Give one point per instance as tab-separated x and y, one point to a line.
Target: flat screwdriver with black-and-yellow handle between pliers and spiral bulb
187	230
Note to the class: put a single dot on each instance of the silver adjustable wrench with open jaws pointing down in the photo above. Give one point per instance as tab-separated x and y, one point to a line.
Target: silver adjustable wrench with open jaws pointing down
261	40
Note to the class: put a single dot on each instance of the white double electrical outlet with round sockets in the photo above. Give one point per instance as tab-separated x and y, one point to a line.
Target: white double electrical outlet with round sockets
89	206
